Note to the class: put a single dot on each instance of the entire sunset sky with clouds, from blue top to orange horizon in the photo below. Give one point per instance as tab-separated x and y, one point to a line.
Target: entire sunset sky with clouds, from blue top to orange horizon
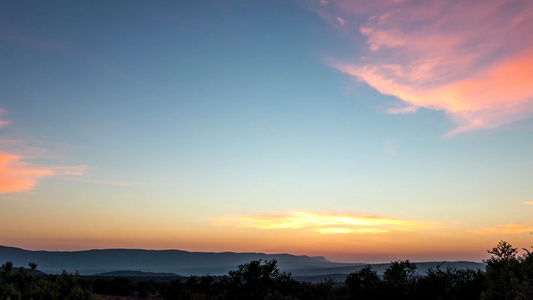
361	131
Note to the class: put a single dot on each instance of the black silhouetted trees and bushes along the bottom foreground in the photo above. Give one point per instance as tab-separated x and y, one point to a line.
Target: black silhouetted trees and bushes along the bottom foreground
508	275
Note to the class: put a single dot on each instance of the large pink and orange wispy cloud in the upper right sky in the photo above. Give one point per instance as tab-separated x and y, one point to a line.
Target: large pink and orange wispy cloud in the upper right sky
471	59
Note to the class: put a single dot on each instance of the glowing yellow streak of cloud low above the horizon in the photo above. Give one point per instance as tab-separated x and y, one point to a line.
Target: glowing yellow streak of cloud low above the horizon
323	222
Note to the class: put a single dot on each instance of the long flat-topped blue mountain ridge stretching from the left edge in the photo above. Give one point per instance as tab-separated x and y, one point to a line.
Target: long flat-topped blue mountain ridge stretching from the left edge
159	261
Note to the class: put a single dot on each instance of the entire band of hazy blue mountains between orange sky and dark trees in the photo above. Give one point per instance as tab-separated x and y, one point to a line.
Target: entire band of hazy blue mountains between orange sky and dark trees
186	263
